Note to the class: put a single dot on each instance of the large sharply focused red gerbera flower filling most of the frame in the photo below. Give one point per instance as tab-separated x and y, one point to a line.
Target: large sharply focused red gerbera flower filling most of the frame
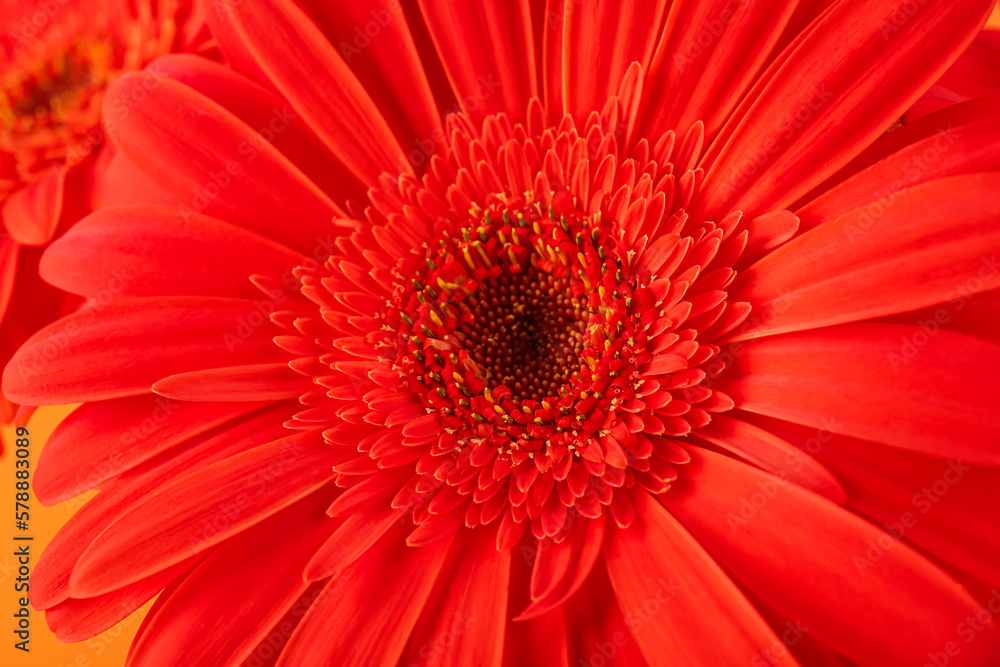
516	333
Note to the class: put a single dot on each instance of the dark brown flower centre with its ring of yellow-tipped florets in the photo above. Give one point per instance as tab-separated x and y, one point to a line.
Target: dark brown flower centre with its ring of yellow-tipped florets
519	327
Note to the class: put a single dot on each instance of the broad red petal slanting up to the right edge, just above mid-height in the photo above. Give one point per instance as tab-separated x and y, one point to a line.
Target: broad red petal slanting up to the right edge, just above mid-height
935	238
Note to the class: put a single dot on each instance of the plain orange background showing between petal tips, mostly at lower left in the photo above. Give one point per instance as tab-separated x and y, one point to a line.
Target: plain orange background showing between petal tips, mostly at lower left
107	650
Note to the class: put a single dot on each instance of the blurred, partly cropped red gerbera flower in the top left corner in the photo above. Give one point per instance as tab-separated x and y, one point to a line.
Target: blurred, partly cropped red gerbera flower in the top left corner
58	60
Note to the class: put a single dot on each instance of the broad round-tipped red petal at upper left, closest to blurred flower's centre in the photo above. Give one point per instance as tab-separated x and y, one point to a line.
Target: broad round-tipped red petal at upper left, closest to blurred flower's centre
179	137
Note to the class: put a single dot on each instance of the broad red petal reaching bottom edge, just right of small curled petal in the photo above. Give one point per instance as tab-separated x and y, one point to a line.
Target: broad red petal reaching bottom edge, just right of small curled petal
656	564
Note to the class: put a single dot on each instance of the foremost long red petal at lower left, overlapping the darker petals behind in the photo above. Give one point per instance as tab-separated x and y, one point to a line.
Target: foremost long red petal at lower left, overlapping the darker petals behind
202	509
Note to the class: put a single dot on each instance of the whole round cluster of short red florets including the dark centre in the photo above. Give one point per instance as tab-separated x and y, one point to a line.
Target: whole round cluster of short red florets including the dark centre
529	326
